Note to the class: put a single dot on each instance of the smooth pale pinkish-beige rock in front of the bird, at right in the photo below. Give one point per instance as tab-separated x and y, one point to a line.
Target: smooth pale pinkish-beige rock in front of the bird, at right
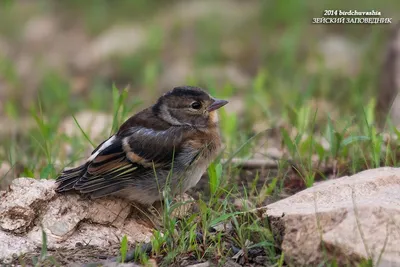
325	221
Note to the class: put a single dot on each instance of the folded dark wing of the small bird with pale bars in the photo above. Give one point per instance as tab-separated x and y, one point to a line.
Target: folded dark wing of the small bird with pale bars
128	157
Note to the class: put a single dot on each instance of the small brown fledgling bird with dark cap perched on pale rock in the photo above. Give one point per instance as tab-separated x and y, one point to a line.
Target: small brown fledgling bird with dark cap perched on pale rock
168	144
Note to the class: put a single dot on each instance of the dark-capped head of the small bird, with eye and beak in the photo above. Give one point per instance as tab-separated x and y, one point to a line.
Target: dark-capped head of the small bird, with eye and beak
188	105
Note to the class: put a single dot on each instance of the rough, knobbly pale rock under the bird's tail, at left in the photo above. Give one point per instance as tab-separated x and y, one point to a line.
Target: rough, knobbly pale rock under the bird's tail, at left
32	205
